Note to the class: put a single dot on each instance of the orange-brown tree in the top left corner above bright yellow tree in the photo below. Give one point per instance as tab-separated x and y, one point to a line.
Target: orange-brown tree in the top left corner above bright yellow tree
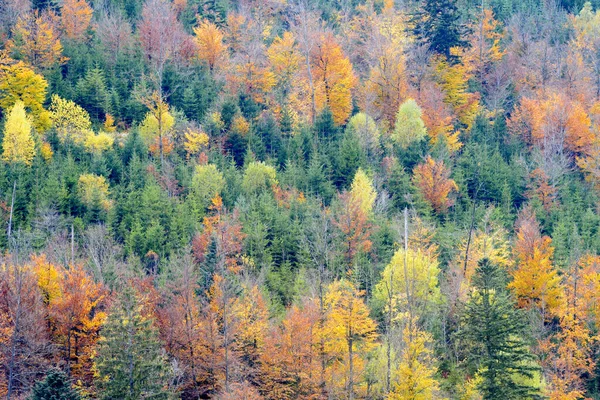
36	40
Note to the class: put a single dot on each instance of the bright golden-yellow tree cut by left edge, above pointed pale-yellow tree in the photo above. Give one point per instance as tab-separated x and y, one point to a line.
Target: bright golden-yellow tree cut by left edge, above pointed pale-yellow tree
20	83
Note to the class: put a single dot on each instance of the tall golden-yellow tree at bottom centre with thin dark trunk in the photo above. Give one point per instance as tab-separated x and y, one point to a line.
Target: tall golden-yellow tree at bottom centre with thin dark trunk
349	334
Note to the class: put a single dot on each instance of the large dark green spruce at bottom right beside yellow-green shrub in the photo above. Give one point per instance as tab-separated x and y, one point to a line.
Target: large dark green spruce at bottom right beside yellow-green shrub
495	330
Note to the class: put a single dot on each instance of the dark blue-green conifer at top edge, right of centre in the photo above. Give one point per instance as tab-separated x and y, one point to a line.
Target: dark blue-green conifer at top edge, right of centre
438	26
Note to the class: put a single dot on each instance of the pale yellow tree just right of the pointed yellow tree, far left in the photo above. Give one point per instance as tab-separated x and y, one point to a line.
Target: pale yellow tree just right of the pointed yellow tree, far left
70	120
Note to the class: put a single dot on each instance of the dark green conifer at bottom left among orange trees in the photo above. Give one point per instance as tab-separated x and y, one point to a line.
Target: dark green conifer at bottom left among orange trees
130	361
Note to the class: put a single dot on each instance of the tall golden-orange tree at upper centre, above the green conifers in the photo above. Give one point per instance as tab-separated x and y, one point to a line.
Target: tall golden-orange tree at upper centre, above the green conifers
333	78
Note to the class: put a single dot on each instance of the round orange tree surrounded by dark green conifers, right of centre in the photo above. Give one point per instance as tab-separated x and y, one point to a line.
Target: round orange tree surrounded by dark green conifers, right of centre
432	179
